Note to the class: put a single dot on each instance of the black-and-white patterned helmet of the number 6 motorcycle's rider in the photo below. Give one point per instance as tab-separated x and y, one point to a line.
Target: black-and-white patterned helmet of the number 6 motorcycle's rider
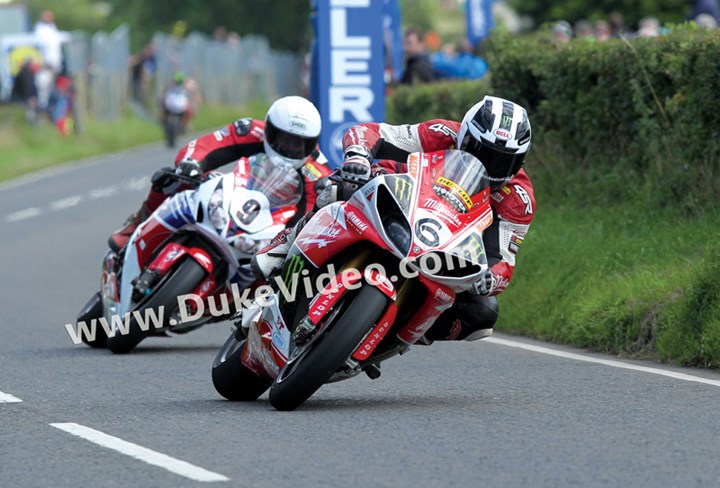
497	132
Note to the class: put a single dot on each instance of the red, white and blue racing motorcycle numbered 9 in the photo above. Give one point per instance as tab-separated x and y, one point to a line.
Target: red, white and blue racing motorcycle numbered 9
198	243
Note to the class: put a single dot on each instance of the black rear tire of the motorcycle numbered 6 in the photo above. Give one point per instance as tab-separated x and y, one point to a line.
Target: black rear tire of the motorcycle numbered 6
231	378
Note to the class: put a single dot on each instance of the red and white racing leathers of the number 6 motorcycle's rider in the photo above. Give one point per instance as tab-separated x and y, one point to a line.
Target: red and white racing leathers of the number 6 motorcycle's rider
474	314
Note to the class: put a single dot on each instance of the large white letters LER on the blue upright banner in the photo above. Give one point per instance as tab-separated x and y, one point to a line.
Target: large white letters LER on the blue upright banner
350	85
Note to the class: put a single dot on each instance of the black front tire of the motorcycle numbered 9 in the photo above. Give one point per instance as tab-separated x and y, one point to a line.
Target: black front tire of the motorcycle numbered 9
183	280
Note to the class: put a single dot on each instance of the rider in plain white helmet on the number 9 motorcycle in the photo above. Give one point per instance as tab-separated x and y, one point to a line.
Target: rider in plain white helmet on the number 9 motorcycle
289	134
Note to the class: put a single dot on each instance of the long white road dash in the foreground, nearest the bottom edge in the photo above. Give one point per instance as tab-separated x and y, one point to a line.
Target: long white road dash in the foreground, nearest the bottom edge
141	453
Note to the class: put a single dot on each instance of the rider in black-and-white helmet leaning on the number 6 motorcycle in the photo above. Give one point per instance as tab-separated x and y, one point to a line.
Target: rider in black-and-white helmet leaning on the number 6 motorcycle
498	133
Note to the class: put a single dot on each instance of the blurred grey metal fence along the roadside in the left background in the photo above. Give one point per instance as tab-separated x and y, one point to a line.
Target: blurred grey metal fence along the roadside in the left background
227	73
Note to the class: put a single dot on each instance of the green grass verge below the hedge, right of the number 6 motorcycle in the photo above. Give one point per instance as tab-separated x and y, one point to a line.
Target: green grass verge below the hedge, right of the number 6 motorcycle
621	280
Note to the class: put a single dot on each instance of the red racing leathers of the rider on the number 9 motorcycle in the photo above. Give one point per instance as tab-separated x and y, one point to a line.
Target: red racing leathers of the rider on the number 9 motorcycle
242	138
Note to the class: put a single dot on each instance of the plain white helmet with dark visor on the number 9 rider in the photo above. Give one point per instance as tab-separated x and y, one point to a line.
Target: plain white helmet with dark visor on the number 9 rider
292	130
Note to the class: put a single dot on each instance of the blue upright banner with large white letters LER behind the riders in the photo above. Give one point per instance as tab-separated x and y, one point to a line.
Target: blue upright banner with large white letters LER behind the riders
350	68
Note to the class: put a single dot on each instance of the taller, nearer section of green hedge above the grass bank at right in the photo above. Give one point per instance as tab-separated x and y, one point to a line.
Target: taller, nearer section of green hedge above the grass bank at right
641	112
